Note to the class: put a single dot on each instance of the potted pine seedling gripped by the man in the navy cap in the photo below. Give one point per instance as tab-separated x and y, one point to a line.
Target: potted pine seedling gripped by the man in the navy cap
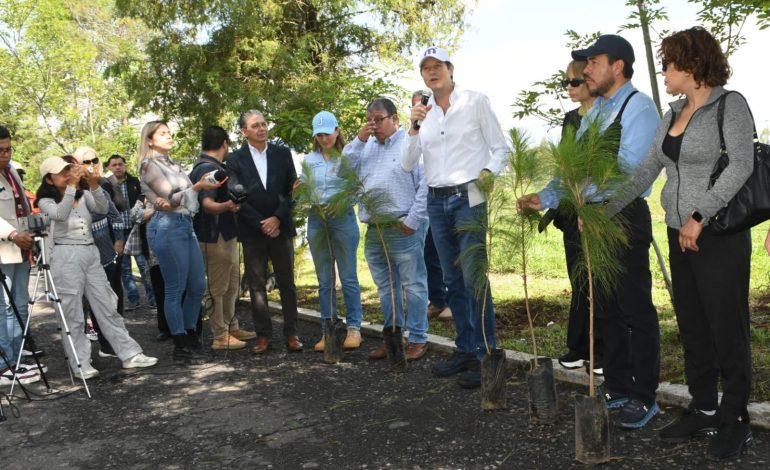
527	169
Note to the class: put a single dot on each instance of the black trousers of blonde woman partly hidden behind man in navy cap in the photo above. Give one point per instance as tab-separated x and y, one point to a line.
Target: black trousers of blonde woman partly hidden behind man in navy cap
577	327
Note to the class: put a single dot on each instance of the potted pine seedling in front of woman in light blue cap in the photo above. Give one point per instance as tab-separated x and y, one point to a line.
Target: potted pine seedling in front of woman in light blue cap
308	201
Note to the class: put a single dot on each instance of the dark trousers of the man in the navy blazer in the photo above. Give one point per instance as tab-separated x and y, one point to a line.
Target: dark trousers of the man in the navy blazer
255	256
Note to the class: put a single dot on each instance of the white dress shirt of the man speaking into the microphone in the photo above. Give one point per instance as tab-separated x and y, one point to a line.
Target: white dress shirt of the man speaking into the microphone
457	145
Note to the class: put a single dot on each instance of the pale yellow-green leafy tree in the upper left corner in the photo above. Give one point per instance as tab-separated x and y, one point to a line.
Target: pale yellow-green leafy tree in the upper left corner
53	55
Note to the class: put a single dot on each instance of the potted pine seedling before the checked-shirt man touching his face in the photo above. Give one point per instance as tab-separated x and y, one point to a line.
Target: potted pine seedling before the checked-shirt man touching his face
376	201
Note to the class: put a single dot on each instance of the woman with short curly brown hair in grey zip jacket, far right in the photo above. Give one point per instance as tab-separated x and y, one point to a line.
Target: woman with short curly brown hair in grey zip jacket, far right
710	273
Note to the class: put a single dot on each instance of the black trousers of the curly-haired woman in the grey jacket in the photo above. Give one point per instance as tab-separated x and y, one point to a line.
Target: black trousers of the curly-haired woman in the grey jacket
711	300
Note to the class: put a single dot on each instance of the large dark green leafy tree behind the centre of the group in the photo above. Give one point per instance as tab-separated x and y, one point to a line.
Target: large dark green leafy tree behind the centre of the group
208	60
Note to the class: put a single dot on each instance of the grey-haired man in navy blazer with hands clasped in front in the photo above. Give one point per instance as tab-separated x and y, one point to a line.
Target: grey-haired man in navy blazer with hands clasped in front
266	173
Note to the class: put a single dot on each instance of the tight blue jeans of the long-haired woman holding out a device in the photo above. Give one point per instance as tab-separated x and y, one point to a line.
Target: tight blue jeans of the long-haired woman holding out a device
173	241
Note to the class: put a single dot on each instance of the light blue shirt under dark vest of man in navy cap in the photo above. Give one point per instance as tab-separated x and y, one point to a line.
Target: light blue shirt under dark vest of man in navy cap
639	121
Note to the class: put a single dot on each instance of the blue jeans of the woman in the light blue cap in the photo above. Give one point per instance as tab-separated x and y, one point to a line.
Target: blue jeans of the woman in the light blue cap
337	241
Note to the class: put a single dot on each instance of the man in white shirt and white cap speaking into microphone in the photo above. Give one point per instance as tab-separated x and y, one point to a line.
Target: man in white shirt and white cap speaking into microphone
461	142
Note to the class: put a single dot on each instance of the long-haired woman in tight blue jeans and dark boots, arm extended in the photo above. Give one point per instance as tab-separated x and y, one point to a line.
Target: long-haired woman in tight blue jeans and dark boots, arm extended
171	237
